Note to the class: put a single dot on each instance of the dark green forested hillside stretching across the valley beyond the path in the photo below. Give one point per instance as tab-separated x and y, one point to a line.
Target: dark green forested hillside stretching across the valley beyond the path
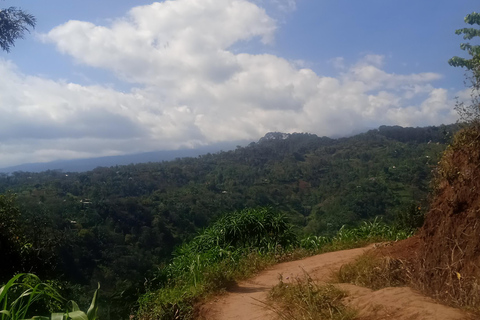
117	225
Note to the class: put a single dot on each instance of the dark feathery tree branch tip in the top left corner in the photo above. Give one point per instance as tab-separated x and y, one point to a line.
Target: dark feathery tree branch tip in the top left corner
13	25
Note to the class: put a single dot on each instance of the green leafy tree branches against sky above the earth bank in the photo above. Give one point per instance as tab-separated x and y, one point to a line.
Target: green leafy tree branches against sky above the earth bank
471	112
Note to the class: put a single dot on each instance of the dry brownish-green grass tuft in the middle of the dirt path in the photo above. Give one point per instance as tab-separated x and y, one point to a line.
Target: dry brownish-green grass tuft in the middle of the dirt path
303	298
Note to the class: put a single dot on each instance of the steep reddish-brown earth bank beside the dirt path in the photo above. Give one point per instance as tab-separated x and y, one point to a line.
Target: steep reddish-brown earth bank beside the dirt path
448	264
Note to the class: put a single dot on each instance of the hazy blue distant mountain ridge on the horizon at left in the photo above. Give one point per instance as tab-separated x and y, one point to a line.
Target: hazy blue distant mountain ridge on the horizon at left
80	165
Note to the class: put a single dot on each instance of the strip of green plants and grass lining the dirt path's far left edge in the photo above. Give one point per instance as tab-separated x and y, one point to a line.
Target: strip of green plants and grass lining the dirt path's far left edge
237	246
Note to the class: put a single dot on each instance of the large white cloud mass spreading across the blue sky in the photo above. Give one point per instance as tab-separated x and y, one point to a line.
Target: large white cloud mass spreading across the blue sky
189	88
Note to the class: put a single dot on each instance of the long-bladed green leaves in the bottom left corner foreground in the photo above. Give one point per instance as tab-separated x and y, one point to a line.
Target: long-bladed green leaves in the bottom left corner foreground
25	294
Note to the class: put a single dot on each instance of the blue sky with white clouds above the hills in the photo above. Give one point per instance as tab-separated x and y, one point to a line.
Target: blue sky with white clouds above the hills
101	78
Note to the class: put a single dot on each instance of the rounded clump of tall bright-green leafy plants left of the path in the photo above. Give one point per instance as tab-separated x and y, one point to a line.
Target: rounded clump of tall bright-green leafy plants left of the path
262	230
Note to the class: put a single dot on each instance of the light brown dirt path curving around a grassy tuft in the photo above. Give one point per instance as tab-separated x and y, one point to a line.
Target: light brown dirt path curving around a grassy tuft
242	302
